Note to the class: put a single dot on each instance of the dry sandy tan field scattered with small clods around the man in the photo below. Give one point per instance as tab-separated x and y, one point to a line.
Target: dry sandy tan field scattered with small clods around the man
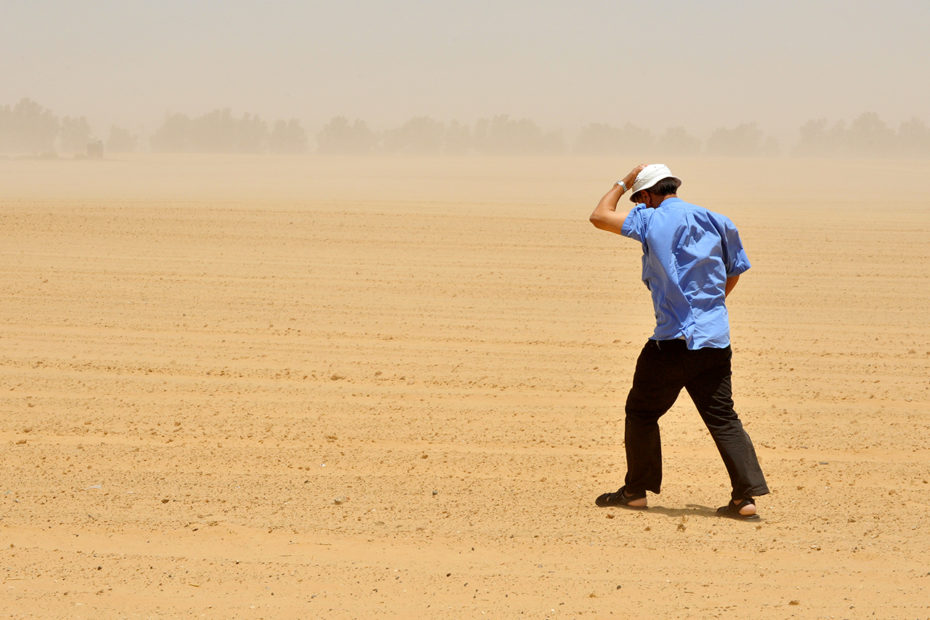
255	387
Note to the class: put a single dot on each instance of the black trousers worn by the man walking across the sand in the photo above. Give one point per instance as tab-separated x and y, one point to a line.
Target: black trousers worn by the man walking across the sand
663	368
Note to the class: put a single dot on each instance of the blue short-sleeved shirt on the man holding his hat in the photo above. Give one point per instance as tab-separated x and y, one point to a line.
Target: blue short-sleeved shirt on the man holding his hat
688	254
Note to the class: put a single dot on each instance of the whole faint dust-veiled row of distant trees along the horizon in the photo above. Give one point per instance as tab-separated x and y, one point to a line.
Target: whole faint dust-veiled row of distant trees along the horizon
28	128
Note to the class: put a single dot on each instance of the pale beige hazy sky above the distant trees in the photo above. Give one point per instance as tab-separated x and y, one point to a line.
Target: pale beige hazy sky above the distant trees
699	64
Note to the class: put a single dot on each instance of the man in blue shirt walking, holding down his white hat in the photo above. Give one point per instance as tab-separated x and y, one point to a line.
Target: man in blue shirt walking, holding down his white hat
692	259
